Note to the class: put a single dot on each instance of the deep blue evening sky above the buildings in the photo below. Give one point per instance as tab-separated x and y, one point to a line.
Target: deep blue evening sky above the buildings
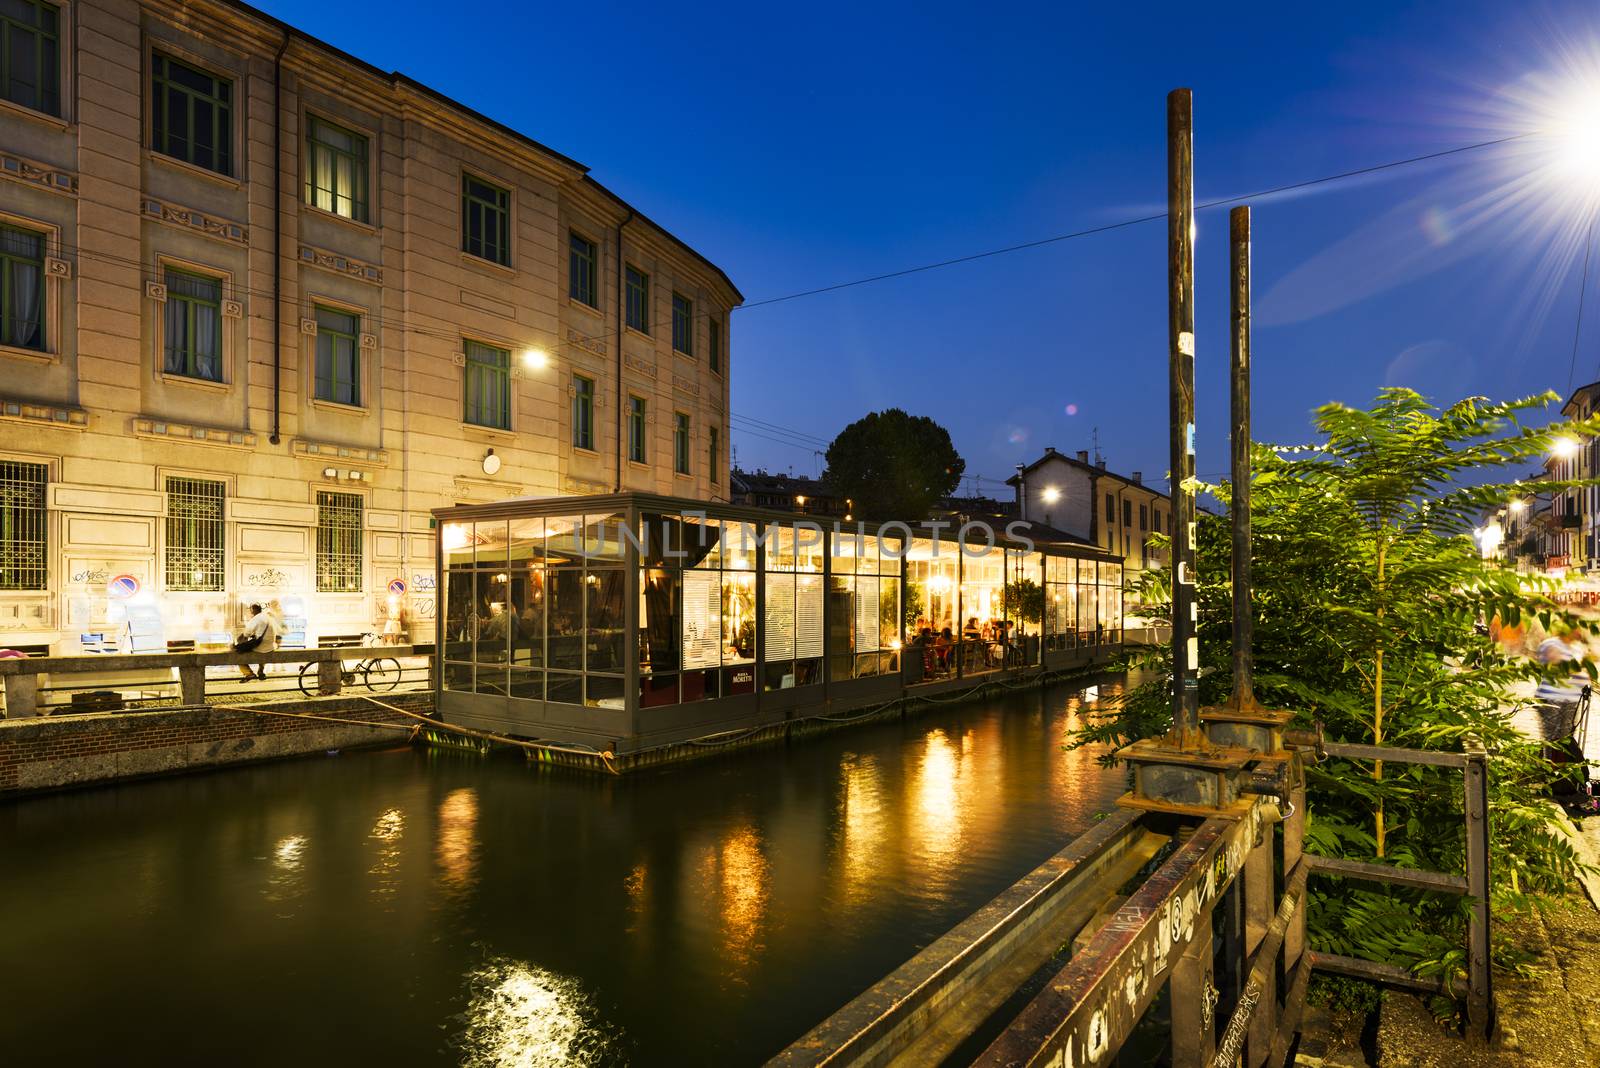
804	146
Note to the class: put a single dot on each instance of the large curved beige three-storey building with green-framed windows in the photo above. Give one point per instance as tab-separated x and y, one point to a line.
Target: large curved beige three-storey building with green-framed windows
266	306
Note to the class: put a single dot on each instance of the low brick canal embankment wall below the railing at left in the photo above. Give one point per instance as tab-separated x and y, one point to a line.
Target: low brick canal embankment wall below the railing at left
57	752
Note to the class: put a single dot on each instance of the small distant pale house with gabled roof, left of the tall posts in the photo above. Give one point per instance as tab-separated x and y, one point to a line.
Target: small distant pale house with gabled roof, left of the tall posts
1084	500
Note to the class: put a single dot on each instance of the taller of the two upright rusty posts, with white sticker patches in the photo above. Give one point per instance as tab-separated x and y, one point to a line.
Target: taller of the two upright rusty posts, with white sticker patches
1182	377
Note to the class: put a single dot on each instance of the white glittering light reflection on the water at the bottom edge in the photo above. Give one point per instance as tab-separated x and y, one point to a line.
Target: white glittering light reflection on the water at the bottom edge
529	1018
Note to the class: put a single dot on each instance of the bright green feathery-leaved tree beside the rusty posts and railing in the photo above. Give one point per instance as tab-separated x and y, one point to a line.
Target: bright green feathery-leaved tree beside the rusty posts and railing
1372	615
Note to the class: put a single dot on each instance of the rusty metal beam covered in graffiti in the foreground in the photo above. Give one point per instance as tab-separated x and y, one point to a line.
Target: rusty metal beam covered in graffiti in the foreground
1087	1013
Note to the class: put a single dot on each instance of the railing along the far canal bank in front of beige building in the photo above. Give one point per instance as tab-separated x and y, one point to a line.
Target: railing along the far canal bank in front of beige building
121	682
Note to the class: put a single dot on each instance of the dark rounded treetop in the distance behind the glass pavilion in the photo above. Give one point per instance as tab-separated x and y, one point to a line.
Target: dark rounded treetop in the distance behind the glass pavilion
894	466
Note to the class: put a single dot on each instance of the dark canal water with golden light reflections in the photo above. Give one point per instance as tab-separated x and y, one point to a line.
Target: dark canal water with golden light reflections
417	907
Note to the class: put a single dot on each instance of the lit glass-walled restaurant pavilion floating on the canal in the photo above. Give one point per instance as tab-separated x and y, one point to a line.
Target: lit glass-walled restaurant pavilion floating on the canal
633	621
